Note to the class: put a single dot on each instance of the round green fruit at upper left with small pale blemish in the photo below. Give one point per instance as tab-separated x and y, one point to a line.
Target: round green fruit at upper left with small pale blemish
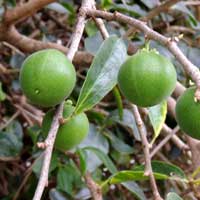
47	77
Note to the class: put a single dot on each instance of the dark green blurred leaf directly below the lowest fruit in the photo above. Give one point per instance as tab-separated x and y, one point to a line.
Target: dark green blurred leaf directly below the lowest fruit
68	177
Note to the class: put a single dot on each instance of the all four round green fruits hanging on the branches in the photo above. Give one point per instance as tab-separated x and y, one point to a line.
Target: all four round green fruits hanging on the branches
147	78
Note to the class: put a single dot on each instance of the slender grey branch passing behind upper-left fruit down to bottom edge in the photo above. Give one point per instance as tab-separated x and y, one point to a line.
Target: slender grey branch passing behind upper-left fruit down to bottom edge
49	142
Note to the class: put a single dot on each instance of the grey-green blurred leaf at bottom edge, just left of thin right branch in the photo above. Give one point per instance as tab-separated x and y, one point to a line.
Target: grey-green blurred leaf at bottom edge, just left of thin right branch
135	189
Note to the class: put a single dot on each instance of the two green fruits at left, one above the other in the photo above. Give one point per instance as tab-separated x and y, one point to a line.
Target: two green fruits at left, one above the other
47	77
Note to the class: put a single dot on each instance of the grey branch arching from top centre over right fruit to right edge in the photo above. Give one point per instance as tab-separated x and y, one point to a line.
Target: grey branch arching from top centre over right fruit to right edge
189	68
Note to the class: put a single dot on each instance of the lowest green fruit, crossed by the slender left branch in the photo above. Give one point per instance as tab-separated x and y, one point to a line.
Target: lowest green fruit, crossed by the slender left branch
69	134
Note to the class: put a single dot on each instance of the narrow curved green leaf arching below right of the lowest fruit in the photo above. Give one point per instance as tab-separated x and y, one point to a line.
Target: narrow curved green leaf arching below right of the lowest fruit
104	158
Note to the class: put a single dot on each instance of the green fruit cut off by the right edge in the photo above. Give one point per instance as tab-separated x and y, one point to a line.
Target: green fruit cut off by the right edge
188	113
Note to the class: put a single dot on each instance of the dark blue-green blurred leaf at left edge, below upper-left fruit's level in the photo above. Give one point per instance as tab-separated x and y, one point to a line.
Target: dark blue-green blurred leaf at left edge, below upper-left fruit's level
11	140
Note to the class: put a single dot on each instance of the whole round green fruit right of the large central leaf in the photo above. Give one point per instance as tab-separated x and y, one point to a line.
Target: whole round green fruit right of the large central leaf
147	78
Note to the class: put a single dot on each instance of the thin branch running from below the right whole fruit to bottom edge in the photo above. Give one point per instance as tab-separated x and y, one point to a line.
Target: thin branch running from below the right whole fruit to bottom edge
148	167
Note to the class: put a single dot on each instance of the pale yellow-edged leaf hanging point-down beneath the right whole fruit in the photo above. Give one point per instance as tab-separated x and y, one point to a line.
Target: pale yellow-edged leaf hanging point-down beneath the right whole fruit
157	115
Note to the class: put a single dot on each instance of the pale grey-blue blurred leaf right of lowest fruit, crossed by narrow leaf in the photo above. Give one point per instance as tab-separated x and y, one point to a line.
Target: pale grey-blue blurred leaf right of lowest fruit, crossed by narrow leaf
97	140
